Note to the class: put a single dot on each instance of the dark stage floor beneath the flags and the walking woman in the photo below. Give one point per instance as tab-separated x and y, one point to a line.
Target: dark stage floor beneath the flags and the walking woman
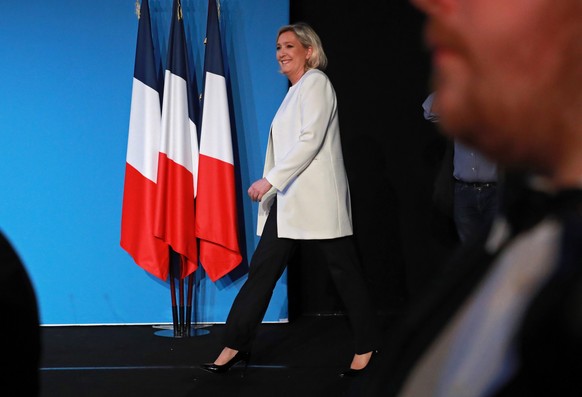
301	358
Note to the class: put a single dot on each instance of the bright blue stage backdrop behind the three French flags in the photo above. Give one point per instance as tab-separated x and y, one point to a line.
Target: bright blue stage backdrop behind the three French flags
64	109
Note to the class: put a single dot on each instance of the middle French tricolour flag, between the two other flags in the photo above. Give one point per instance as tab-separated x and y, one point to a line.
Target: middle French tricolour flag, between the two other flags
178	156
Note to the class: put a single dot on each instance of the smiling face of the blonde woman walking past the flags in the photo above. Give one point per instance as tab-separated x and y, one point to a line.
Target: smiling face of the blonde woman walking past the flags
292	56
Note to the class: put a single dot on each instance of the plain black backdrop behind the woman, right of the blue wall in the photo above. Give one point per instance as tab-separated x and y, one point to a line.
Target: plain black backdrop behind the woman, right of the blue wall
380	70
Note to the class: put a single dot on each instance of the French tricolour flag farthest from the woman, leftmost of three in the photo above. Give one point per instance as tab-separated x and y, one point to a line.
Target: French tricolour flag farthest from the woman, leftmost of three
139	194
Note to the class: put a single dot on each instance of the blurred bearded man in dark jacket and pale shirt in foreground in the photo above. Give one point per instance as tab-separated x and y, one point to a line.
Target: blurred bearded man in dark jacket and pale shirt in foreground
505	318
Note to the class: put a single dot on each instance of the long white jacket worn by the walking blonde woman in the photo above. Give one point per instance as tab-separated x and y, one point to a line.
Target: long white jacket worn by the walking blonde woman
305	165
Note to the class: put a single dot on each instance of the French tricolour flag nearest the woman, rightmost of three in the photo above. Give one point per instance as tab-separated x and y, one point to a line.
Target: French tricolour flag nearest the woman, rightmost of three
216	216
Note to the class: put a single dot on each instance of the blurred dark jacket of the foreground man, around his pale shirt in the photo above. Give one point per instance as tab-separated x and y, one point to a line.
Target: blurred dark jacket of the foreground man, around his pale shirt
549	339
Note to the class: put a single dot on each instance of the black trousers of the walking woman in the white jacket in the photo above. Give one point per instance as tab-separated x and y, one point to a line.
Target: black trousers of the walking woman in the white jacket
267	265
